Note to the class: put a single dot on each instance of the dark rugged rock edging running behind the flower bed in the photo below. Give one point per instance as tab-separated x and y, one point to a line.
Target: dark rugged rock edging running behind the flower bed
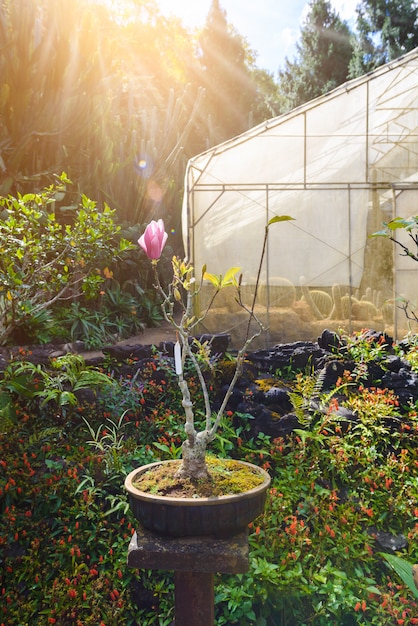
268	404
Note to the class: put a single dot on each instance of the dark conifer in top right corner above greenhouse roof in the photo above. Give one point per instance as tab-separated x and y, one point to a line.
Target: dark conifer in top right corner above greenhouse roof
386	29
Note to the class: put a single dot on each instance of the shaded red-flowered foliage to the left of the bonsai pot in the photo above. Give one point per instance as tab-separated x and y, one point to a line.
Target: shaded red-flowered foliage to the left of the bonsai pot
69	545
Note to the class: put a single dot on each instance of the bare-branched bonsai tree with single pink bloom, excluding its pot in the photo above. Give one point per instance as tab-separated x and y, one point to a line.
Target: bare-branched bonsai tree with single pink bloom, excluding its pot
183	290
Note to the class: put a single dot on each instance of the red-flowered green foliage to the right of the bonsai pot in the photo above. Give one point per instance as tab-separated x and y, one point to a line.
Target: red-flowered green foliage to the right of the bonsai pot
332	490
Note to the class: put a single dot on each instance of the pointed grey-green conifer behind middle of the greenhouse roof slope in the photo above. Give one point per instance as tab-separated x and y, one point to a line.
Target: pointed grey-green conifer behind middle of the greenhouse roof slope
323	56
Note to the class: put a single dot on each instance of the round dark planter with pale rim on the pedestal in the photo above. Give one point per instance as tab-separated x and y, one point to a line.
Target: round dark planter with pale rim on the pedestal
182	517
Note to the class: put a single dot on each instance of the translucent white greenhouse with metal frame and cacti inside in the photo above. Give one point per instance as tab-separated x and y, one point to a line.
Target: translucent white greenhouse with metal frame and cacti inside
340	165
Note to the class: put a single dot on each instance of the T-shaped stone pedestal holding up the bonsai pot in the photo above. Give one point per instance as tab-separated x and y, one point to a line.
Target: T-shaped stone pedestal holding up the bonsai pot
194	561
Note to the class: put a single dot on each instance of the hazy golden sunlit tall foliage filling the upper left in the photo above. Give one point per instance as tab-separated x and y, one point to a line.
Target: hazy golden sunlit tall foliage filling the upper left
111	101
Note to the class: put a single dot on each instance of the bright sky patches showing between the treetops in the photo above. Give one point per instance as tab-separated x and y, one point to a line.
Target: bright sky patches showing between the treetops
271	27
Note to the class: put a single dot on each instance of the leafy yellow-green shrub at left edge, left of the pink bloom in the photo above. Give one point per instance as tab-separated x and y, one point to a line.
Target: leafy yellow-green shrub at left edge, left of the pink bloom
44	262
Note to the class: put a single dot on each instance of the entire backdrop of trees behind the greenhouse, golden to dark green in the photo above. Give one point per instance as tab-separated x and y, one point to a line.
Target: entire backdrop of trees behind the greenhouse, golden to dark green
121	101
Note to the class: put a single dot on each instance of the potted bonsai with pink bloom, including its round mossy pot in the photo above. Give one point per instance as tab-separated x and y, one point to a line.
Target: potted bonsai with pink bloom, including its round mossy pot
179	497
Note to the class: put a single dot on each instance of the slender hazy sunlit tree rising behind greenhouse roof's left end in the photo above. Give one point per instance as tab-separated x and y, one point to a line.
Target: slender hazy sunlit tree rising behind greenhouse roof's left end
225	75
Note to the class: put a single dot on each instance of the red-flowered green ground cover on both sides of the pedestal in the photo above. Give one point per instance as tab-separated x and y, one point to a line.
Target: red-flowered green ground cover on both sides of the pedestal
342	483
